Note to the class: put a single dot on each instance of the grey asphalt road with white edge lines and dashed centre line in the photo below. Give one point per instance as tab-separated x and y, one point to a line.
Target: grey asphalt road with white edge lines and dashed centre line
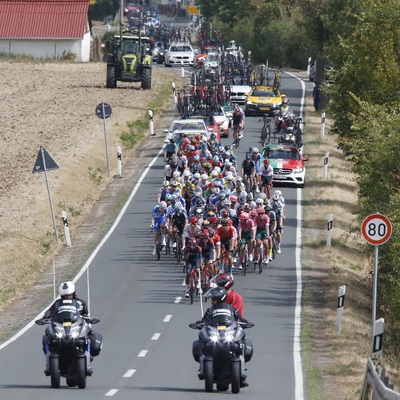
145	316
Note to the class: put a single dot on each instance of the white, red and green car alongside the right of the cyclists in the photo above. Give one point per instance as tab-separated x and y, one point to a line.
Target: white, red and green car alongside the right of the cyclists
287	162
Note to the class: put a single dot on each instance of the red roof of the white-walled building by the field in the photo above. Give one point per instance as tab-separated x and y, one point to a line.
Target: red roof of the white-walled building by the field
43	19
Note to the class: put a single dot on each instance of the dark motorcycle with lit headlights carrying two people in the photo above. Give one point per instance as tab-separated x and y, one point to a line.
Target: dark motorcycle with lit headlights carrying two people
222	351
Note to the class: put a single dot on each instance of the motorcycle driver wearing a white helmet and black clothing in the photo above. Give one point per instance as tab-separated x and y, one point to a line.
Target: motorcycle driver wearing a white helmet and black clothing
67	291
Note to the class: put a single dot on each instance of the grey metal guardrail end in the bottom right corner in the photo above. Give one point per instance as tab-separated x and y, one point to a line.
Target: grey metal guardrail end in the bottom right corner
376	384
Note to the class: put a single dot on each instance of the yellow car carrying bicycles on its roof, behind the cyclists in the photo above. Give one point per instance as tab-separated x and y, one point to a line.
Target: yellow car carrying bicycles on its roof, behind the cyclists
263	100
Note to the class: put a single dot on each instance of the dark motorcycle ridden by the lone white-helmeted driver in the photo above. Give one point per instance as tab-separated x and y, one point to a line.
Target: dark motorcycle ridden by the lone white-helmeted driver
69	345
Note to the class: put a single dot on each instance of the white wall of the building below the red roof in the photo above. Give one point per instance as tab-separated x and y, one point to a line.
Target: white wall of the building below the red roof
48	48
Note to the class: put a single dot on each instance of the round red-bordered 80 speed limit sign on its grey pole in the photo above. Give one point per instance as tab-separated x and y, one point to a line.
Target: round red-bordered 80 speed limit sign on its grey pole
376	230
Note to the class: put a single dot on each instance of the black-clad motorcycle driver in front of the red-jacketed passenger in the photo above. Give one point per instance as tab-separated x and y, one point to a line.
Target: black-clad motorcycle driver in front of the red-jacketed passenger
220	309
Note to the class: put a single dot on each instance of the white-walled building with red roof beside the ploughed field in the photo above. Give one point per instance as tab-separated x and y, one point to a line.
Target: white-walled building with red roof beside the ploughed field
45	29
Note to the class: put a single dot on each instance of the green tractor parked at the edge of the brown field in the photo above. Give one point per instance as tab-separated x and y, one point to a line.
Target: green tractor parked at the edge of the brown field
129	60
